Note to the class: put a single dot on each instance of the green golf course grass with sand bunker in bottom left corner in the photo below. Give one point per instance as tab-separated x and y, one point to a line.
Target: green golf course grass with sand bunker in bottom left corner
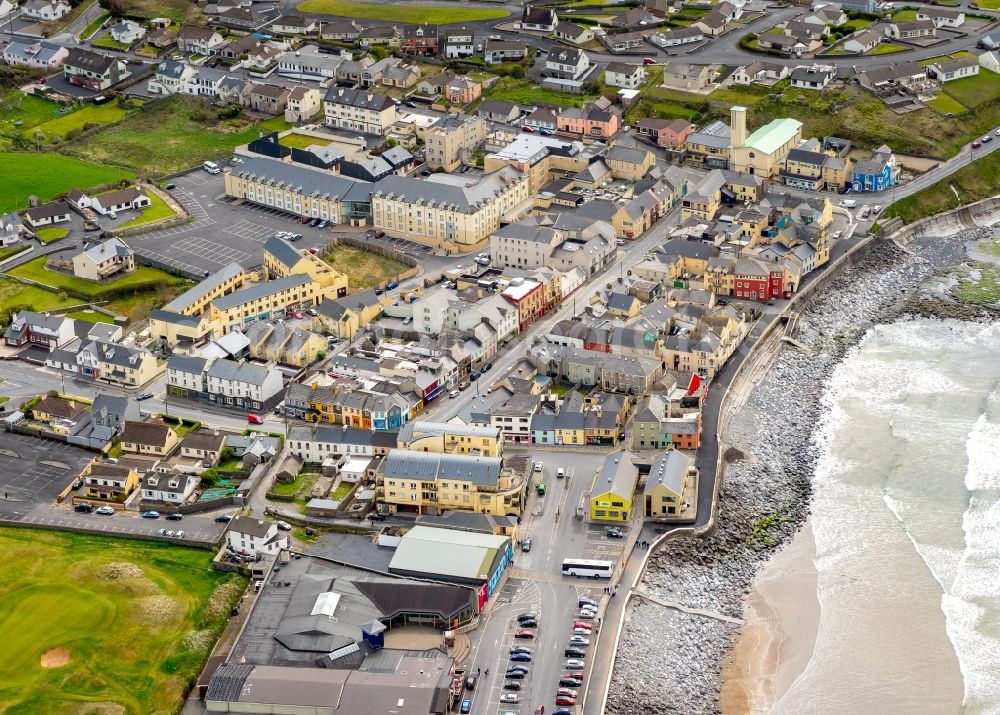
102	625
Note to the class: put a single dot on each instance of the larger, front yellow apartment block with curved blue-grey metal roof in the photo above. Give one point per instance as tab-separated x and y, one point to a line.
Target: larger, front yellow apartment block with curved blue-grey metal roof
430	483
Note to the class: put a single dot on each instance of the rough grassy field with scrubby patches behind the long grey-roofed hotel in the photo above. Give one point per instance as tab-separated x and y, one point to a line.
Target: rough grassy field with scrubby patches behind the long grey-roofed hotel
176	134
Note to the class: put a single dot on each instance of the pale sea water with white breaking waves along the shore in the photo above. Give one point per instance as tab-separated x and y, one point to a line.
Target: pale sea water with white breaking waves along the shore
906	515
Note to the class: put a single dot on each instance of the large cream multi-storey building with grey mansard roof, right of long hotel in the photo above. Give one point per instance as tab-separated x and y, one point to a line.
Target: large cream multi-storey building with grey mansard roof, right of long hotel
449	210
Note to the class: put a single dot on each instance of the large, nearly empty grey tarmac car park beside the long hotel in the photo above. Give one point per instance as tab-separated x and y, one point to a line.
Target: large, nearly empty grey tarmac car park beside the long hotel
219	232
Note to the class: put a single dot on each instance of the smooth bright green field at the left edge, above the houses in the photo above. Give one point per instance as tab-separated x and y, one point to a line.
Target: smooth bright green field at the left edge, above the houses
48	175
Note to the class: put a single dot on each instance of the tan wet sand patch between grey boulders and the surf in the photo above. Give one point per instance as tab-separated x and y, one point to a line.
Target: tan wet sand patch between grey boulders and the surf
782	618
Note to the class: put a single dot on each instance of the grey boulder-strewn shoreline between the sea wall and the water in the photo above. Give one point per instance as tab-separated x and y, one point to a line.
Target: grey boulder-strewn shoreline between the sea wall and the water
671	662
